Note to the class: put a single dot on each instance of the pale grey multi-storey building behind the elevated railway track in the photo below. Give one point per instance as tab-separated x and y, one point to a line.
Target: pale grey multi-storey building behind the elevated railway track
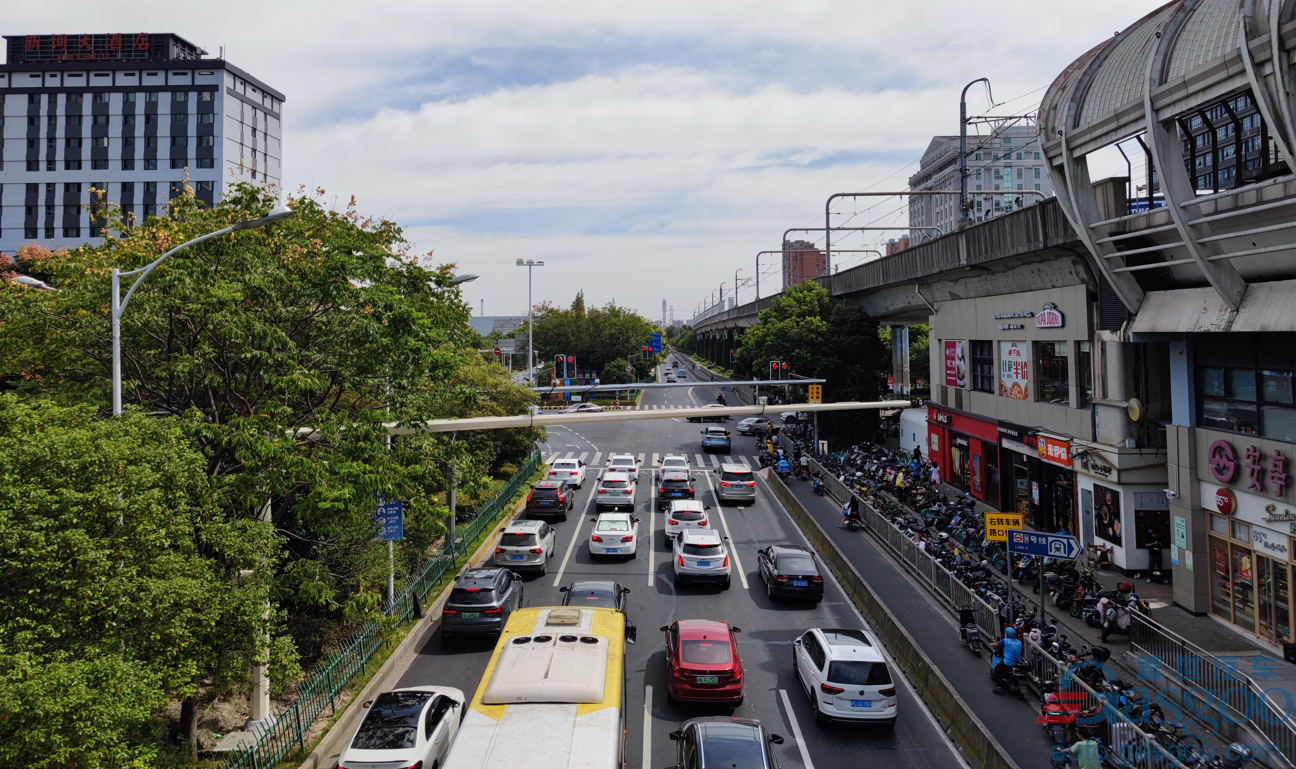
1006	161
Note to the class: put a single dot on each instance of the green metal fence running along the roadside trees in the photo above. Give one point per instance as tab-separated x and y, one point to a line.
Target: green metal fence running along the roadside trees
319	689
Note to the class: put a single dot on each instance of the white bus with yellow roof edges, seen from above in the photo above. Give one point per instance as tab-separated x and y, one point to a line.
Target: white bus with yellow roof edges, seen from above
553	696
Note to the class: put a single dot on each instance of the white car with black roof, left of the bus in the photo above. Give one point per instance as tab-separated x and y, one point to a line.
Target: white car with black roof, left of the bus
406	728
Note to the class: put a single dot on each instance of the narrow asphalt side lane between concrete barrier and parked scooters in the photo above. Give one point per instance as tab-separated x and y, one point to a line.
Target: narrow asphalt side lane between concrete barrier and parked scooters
1012	722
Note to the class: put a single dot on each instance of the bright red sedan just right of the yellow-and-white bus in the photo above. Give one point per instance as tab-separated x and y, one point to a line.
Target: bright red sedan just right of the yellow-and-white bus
703	662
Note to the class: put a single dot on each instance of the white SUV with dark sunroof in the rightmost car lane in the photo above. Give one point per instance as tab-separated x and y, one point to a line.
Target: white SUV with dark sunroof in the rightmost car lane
846	676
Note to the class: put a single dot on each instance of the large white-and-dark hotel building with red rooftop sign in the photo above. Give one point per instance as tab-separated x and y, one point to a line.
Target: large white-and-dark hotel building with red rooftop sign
129	115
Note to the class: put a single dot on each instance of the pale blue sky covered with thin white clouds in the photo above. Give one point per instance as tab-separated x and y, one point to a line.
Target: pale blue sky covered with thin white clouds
645	151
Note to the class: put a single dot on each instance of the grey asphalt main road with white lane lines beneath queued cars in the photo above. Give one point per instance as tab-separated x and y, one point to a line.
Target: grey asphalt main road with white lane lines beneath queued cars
768	628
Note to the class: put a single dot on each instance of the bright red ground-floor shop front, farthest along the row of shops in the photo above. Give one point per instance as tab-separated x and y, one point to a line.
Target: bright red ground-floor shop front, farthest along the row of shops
966	451
